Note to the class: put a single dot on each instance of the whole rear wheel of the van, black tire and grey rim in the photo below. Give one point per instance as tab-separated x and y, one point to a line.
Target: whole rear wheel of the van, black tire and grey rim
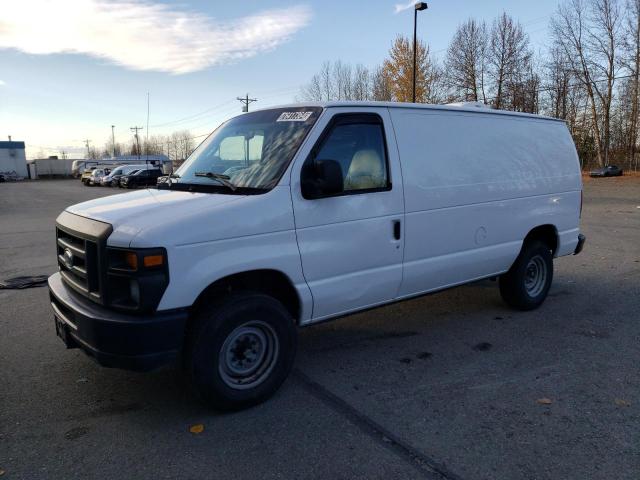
526	285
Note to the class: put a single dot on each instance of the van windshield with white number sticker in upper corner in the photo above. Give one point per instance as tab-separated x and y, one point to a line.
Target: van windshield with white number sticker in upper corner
250	151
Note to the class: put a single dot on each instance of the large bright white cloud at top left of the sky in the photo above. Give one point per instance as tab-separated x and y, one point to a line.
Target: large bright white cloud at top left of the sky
142	34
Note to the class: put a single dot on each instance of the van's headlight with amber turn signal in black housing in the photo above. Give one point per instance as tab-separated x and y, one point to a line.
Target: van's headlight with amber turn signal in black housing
136	278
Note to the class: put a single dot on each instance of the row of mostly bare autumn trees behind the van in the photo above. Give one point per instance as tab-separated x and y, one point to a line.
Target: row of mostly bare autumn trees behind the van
588	74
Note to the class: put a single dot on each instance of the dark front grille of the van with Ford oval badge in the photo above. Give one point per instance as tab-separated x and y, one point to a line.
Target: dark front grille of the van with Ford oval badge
80	244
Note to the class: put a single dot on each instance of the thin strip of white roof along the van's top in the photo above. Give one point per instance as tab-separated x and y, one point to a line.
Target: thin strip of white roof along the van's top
474	107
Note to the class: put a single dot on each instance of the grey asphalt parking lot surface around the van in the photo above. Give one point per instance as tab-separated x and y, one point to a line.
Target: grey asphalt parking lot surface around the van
453	385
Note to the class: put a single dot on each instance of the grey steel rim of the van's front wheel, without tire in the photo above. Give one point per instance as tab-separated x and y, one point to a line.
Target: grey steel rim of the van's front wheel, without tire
248	355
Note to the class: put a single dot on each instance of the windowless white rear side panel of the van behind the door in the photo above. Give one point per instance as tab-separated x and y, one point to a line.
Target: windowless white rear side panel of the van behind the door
475	185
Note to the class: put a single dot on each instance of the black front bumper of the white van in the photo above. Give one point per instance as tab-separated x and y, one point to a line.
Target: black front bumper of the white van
114	339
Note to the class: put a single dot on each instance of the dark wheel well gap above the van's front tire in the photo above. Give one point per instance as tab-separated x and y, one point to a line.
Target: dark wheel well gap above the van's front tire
270	282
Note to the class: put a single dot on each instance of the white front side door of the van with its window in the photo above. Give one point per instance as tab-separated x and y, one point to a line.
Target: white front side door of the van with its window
351	243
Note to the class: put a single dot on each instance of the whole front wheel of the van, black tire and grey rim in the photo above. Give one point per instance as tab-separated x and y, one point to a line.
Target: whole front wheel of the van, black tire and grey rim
214	363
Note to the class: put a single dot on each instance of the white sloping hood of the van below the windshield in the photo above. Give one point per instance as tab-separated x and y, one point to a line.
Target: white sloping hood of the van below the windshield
131	213
